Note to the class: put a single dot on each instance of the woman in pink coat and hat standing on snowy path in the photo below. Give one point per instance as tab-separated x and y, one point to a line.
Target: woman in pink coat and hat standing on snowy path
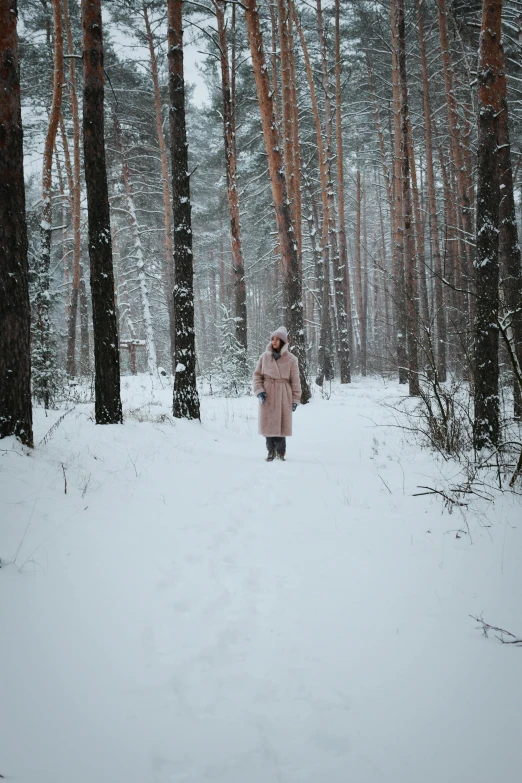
278	389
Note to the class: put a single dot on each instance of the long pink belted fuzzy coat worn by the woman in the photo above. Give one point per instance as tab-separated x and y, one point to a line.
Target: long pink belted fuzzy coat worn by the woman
280	380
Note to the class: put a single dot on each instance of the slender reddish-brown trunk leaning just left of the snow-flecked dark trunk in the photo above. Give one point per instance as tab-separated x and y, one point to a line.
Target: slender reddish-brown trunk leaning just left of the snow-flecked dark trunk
168	264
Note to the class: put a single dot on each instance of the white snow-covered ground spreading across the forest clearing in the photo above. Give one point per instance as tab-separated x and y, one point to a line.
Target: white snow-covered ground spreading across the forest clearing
188	612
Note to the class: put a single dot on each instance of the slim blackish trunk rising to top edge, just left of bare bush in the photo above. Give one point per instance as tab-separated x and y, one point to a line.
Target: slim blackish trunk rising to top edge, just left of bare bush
409	238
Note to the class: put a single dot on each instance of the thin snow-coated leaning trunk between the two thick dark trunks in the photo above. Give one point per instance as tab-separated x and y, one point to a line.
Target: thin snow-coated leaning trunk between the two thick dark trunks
139	257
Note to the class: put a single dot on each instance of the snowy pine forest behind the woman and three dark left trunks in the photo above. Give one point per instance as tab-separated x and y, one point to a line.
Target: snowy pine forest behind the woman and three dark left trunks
398	250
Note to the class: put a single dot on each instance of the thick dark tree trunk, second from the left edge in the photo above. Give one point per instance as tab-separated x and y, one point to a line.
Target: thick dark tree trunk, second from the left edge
106	352
